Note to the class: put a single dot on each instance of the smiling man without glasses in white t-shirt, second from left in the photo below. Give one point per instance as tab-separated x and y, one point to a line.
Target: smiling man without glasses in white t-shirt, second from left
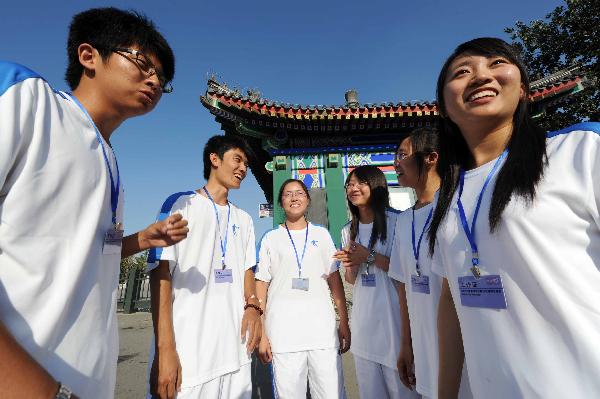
204	307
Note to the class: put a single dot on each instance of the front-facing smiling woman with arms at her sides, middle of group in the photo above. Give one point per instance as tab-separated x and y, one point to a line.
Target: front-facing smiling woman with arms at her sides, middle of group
295	273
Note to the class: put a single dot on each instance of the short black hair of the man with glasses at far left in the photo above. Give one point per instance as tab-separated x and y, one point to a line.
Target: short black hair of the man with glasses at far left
107	28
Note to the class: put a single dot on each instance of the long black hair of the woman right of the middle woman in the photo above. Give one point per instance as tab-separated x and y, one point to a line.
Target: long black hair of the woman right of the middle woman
379	201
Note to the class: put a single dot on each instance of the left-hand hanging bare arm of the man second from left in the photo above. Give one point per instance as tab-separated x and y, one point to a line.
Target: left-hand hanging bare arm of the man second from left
165	374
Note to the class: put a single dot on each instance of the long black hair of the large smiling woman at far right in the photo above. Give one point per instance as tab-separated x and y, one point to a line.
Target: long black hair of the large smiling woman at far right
526	160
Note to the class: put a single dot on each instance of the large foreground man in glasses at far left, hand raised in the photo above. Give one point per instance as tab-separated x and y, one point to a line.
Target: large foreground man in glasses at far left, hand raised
61	206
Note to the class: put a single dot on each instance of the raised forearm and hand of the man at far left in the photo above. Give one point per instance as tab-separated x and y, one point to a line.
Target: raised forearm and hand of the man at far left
160	234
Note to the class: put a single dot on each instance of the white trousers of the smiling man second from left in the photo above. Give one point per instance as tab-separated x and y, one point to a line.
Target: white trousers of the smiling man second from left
236	385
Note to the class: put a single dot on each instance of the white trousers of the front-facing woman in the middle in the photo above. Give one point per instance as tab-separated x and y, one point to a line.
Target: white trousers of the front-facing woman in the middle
322	368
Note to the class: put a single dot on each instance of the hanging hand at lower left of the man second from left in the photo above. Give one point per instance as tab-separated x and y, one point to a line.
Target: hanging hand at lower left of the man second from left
165	374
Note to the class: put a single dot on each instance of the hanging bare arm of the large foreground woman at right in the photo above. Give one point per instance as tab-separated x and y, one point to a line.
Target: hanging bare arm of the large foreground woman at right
450	346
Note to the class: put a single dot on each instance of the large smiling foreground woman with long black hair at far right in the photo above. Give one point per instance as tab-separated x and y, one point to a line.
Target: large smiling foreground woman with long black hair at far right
516	236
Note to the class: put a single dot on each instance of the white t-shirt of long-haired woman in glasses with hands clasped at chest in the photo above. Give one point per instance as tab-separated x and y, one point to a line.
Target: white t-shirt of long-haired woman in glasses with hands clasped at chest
375	319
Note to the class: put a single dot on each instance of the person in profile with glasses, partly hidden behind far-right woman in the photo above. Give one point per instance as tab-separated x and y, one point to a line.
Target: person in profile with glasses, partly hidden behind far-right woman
419	289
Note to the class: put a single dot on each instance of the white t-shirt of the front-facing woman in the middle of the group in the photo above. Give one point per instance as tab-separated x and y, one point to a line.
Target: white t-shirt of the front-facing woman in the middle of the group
298	320
